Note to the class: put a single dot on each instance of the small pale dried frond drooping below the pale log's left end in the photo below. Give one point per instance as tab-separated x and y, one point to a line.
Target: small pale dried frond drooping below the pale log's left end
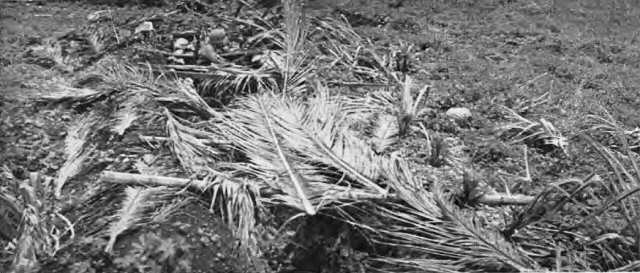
135	210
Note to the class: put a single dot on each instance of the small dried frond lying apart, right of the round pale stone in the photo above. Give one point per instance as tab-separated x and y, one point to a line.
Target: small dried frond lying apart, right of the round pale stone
529	131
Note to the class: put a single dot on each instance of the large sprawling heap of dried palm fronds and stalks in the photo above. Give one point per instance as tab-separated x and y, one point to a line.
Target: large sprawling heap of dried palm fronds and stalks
296	141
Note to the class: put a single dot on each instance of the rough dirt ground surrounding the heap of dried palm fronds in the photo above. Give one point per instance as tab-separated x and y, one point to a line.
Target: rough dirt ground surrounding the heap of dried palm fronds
578	57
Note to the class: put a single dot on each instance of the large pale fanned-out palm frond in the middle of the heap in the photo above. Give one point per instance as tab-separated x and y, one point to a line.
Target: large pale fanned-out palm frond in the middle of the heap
309	134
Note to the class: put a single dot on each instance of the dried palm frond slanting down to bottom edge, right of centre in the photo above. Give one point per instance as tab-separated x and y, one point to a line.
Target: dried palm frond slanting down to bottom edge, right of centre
430	226
